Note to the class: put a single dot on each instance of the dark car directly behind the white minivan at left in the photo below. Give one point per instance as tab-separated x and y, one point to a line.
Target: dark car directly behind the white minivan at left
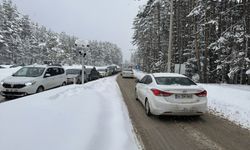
75	76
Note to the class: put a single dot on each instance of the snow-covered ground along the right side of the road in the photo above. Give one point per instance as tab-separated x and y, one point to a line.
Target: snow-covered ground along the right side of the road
225	100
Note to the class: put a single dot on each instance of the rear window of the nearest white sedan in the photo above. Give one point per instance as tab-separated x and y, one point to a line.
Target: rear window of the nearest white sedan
174	81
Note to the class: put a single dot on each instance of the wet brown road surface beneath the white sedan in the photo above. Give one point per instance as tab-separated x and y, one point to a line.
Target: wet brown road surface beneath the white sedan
178	133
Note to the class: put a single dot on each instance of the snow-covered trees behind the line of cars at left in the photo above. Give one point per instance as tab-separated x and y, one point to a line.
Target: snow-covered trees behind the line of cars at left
25	42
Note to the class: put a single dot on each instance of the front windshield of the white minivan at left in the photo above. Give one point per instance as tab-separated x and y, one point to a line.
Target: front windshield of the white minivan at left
29	72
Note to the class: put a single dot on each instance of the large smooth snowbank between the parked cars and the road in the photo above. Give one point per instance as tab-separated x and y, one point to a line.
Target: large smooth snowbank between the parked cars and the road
75	117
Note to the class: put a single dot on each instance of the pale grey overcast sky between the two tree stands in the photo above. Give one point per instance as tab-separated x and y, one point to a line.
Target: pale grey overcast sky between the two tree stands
105	20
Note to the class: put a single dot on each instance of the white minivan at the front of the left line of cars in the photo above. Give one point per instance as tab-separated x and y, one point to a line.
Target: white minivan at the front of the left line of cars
32	79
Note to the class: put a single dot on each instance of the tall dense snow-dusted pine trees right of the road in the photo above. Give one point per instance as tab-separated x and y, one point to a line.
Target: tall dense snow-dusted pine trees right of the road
211	37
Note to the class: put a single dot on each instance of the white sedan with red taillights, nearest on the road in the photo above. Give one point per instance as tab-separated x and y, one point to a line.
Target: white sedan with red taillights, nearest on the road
171	94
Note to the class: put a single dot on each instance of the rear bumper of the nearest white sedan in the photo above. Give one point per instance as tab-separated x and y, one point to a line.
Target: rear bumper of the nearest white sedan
174	109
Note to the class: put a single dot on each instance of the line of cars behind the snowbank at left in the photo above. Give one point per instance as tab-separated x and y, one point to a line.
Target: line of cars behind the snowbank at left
37	78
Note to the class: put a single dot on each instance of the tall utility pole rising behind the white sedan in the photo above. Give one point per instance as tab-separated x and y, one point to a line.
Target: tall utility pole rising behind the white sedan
170	36
